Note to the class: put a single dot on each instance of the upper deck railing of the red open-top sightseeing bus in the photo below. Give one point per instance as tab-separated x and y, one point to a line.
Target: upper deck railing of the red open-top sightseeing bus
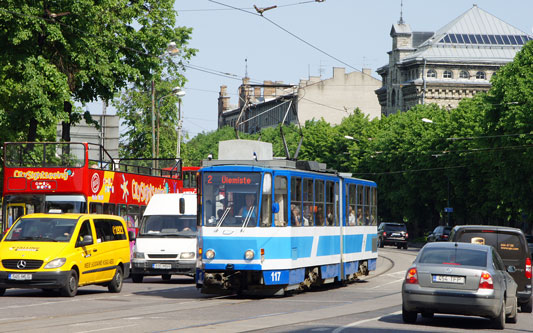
73	155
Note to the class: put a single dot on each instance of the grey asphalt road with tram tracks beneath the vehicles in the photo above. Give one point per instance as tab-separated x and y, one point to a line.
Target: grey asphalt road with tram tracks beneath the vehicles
369	305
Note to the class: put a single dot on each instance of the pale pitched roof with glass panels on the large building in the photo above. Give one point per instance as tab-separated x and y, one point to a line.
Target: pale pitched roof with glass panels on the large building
476	36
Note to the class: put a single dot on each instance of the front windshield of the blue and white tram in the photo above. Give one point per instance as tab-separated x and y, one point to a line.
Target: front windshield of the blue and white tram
231	199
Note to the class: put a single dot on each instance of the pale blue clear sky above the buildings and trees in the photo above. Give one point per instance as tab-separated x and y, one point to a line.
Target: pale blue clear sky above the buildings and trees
301	38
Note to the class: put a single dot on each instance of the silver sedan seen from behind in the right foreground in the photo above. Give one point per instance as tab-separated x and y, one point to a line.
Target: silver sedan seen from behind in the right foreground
459	278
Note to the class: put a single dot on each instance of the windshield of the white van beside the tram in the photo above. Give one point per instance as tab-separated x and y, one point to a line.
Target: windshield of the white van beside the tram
168	225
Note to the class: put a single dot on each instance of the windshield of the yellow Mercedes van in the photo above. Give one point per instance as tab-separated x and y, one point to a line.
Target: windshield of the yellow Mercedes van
42	230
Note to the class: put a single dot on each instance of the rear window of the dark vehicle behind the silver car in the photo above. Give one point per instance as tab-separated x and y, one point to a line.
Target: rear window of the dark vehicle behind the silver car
507	244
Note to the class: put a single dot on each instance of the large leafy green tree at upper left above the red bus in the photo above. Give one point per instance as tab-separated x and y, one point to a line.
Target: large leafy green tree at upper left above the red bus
57	53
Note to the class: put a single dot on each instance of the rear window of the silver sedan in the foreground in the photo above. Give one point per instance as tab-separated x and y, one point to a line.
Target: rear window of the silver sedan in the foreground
453	256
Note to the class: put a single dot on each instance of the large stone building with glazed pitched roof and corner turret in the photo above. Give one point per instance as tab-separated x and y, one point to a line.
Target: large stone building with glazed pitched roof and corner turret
445	66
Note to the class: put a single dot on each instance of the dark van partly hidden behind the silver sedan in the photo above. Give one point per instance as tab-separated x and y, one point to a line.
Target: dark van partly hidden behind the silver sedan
512	246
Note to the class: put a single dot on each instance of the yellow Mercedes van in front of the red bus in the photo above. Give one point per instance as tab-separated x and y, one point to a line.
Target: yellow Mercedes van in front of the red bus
64	252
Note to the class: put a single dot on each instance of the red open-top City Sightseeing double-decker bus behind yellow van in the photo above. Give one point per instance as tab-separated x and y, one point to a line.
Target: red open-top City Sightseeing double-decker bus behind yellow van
78	177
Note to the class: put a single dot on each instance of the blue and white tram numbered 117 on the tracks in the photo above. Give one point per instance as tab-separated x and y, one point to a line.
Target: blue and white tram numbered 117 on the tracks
280	226
